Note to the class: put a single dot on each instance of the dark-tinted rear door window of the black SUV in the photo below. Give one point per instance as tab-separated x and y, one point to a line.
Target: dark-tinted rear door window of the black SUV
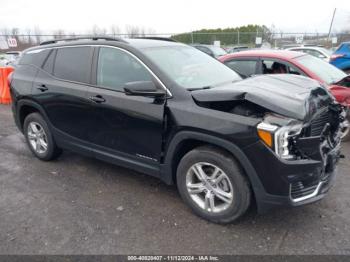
73	64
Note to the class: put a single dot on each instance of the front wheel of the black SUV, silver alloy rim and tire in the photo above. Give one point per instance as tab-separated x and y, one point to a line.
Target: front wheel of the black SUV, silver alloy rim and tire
233	182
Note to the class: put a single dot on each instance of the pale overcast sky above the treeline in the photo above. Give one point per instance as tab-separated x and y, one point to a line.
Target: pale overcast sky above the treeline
173	16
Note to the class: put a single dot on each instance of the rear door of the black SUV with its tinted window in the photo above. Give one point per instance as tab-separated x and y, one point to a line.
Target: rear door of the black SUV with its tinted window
61	88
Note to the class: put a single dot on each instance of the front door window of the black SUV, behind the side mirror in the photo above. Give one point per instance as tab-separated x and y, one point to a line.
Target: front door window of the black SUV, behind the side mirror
116	67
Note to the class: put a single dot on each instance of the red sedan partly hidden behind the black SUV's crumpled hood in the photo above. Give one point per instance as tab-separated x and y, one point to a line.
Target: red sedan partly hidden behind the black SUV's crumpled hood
256	62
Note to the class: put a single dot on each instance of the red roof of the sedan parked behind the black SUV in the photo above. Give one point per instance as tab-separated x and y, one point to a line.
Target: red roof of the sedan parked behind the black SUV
279	54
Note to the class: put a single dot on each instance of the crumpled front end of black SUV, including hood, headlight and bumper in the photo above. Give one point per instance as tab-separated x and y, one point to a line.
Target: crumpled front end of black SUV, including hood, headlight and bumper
299	135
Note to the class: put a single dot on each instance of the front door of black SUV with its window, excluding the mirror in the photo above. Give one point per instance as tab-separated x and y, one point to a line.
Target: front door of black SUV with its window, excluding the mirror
125	126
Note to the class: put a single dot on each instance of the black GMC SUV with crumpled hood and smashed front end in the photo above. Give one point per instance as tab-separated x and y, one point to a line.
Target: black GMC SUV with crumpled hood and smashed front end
168	110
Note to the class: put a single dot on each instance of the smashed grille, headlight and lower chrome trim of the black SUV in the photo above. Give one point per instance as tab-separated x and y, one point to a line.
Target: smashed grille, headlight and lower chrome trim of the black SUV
316	141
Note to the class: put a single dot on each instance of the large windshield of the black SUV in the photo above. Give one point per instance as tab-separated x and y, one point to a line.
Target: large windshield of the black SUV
189	67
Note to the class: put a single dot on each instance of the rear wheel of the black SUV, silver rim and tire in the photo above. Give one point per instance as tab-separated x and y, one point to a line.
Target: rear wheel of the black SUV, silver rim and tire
39	138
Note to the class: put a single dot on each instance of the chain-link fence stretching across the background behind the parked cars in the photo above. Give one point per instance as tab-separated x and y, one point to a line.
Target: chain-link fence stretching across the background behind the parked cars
226	39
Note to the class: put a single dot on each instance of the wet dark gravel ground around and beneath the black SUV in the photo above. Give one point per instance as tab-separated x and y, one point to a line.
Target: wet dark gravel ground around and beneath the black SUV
78	205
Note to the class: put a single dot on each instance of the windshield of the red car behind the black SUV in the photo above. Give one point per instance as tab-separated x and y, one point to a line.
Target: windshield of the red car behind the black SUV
327	72
